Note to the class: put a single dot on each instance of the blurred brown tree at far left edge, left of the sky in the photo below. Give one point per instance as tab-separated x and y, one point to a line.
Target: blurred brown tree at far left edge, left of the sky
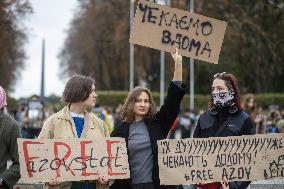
12	38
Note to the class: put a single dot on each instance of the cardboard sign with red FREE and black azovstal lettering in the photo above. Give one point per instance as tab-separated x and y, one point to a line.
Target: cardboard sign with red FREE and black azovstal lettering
73	159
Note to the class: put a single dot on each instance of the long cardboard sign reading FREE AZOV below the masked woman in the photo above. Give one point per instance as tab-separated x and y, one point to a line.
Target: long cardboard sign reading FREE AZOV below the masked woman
243	158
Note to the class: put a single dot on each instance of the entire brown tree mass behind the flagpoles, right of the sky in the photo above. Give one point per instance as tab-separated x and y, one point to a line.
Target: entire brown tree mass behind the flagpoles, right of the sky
97	45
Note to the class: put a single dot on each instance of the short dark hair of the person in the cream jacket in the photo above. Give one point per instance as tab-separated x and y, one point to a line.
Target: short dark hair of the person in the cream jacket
78	89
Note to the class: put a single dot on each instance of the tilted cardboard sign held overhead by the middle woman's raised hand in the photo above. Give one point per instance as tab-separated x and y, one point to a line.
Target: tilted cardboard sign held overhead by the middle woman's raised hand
160	27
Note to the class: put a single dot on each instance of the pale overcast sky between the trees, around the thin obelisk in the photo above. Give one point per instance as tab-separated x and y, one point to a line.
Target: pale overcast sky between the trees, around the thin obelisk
50	20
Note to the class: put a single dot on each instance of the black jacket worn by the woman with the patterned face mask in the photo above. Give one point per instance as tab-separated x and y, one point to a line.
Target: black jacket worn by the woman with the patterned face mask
222	123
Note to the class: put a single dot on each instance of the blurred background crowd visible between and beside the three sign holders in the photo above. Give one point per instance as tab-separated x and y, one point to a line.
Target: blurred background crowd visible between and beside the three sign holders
267	120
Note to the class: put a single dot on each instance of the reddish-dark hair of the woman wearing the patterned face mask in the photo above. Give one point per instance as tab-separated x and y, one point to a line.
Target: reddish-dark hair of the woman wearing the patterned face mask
232	83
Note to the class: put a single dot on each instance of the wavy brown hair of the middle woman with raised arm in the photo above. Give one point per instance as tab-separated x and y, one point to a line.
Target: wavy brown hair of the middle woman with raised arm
127	111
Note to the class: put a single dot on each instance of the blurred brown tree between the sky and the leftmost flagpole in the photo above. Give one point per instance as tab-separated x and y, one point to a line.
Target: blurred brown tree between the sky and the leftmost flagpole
97	43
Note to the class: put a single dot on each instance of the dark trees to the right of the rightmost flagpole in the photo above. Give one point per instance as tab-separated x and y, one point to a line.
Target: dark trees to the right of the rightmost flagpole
252	44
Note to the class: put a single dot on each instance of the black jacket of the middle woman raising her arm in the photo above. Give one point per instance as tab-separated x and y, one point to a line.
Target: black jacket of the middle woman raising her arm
158	128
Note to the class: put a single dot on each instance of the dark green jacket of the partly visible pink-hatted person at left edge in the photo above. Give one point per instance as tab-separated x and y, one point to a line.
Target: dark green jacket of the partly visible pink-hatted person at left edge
9	132
